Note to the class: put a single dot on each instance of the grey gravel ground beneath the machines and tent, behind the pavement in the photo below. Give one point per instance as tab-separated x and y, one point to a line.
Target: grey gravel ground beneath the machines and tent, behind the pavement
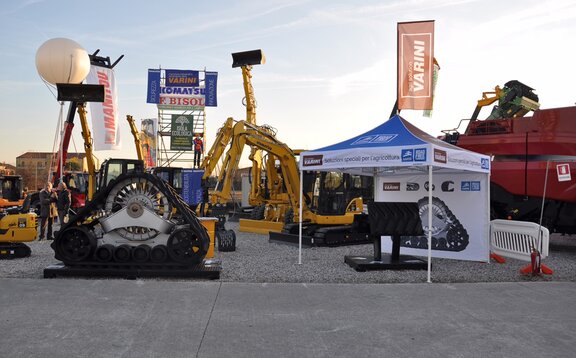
257	260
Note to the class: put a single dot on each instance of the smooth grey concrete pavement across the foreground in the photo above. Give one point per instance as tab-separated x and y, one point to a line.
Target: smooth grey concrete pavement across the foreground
150	318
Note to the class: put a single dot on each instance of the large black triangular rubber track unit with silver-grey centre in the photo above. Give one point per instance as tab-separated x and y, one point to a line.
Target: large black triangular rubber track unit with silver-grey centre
136	224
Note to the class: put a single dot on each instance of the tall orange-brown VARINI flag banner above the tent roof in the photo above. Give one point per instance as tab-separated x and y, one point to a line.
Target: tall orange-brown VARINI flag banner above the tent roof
415	65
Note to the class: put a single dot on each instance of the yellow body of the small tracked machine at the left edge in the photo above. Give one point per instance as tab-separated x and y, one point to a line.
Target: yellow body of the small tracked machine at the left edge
18	227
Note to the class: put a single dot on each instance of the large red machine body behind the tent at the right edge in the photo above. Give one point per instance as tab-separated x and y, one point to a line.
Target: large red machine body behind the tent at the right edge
522	148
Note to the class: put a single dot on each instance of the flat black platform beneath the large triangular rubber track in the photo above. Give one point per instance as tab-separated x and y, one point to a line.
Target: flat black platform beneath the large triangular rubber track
209	269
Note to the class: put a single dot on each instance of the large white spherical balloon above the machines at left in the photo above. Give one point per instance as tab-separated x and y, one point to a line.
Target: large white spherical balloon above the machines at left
61	60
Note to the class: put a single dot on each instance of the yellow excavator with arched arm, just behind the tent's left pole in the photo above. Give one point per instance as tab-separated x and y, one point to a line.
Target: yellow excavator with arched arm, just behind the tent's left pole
333	202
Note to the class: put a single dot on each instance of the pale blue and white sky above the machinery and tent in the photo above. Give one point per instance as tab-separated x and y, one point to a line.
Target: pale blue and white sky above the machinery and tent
331	64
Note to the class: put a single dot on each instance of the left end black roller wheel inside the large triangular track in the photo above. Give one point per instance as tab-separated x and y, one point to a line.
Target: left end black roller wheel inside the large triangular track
75	244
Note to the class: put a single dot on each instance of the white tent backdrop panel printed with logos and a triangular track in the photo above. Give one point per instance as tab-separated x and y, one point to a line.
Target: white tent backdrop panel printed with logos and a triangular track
459	230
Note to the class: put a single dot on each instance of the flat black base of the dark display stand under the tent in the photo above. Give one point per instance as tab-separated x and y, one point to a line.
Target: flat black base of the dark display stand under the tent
386	262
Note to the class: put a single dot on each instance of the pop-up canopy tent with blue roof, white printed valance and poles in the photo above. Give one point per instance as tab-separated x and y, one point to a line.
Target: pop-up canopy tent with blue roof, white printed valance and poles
395	148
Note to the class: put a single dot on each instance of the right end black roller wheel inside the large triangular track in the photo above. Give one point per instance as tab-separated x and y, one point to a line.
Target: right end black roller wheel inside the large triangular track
185	247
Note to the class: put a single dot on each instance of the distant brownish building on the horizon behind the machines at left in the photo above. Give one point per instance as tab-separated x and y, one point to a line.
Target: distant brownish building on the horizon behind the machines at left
35	166
